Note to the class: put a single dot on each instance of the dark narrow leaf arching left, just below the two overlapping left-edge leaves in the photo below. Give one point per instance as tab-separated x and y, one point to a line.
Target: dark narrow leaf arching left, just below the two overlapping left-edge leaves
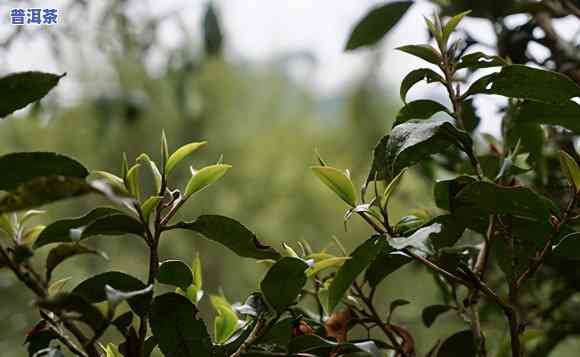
60	231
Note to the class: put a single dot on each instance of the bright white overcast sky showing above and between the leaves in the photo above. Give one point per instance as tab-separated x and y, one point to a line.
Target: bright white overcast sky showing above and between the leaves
259	30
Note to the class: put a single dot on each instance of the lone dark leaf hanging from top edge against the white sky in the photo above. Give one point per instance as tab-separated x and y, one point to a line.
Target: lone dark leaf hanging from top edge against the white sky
376	24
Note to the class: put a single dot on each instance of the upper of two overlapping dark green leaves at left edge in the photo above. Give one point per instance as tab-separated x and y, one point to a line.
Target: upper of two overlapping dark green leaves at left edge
22	167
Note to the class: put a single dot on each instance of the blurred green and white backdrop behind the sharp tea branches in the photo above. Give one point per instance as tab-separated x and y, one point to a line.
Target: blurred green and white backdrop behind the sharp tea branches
266	83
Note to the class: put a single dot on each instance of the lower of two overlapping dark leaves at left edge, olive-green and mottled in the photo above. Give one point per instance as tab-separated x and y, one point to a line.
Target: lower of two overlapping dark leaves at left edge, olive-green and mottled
43	190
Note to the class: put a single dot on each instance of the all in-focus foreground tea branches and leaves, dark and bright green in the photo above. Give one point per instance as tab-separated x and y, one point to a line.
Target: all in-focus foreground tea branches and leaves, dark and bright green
497	225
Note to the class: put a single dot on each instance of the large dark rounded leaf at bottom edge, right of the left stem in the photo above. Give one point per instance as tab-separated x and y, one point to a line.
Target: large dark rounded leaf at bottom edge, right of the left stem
176	328
